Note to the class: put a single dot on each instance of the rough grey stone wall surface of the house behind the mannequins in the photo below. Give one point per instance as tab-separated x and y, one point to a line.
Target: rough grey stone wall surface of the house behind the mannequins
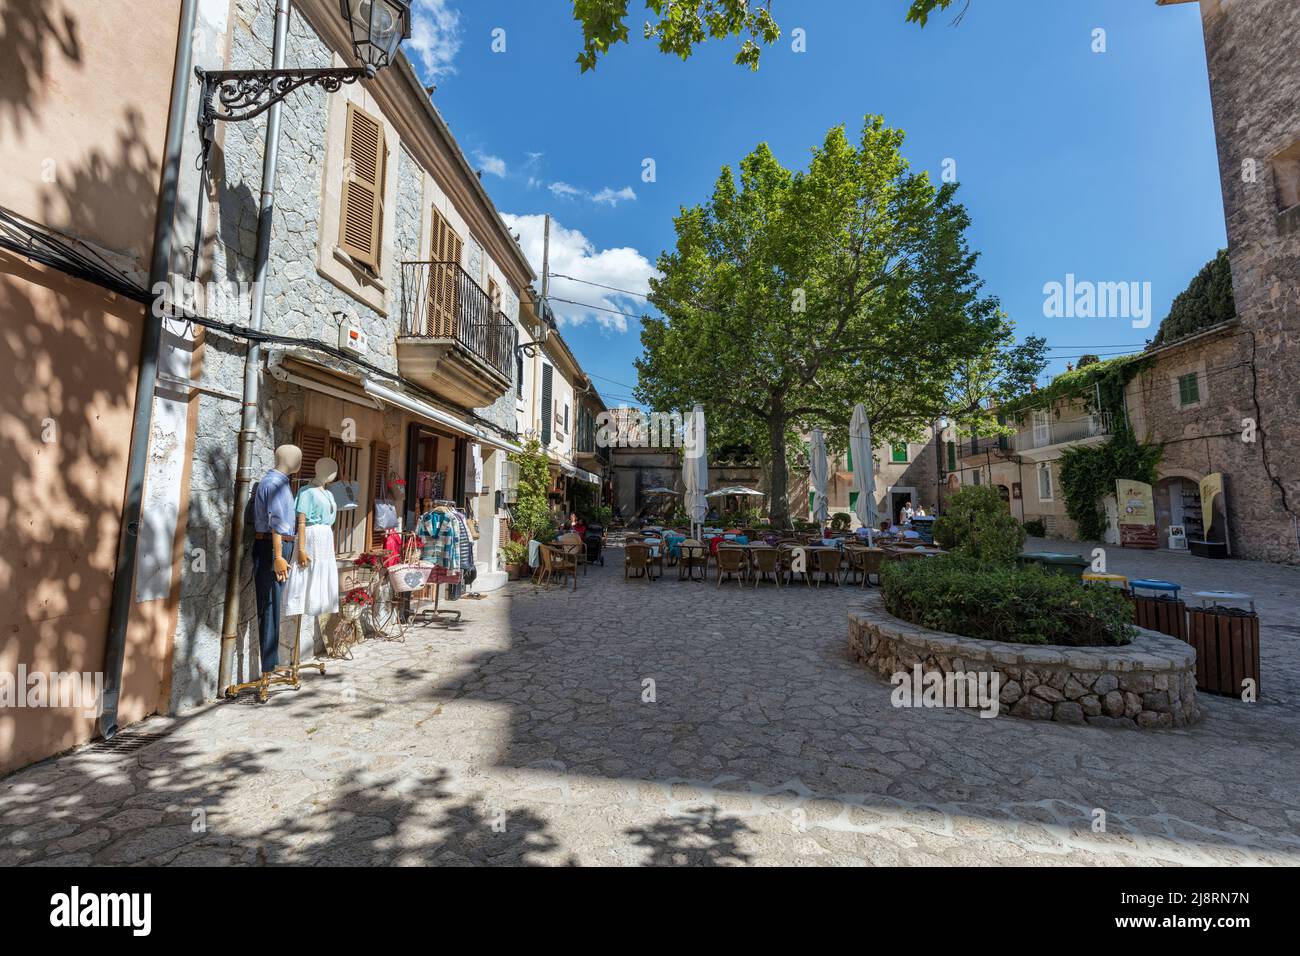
301	301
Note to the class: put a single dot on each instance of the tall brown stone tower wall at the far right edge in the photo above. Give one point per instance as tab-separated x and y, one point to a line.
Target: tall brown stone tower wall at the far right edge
1255	86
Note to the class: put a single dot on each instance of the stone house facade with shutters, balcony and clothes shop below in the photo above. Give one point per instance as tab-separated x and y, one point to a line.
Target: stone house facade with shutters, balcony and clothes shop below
432	202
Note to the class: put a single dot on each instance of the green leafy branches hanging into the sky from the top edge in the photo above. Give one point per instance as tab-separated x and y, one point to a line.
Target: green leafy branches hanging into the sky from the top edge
679	27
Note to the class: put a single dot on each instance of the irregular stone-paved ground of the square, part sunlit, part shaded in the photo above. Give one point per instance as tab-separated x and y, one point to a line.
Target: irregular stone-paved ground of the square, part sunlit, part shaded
523	737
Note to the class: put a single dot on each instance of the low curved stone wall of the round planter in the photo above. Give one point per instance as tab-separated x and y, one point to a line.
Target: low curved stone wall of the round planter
1149	684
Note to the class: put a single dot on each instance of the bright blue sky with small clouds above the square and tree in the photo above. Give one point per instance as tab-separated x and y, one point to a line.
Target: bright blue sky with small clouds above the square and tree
1071	162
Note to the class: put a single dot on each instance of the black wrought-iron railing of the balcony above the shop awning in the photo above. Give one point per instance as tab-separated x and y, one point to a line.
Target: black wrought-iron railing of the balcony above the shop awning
443	302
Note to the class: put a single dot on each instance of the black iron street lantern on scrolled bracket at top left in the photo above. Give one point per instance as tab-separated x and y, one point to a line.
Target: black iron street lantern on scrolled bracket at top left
375	27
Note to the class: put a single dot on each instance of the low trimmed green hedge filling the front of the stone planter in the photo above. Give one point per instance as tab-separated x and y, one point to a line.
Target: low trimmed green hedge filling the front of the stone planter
1003	603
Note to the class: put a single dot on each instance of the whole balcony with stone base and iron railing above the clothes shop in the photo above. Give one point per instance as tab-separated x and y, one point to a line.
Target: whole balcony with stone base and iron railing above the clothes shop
454	339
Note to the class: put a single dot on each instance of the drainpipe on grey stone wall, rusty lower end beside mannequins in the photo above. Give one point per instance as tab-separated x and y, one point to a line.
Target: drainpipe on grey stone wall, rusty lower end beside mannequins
253	360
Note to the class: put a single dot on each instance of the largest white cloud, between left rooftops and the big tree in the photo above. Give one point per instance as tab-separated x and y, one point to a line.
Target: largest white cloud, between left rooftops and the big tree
573	254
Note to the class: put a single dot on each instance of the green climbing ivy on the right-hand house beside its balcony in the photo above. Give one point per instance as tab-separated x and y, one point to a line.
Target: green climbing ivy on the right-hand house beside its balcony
1089	474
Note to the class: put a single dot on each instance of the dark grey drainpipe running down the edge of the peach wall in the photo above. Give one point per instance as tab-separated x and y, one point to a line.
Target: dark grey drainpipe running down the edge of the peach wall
151	336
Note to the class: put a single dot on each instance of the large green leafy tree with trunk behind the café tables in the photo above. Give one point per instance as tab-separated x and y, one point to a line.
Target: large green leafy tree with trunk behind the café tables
792	296
